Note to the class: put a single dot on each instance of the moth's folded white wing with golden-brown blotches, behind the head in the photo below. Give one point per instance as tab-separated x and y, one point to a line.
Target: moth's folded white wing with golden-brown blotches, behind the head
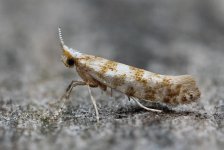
140	83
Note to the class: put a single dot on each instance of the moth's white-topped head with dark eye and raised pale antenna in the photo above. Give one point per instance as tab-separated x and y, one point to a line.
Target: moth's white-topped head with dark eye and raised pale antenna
67	56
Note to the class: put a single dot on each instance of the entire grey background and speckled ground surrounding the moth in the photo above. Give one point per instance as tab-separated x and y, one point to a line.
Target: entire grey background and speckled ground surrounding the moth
164	36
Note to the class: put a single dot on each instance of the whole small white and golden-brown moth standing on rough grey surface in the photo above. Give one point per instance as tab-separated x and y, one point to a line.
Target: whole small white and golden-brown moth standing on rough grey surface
134	82
